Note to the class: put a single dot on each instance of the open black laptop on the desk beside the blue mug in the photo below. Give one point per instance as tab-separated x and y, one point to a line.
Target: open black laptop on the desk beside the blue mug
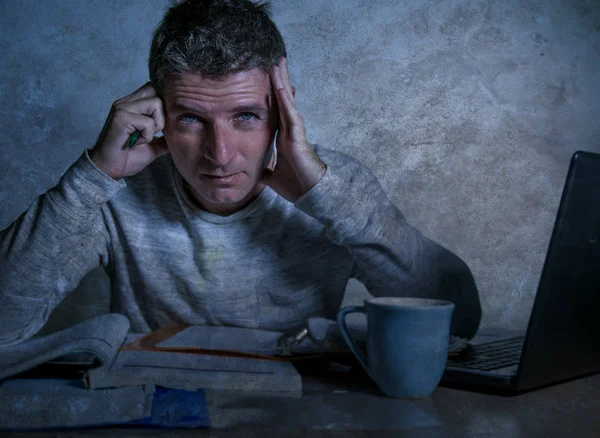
562	341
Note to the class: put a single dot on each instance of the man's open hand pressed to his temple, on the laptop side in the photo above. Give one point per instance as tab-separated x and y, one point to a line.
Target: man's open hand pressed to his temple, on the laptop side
298	166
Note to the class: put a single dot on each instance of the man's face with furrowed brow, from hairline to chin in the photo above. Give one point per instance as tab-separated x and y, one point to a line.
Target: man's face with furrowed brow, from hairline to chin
220	128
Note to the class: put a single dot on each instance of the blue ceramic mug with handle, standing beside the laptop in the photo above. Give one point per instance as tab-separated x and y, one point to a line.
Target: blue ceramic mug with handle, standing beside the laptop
407	343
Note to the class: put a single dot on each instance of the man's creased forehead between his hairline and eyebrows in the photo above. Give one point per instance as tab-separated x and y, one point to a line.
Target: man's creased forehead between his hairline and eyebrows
198	92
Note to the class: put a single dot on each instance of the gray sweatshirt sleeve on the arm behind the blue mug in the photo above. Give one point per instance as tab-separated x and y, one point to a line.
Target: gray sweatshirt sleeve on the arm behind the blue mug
392	258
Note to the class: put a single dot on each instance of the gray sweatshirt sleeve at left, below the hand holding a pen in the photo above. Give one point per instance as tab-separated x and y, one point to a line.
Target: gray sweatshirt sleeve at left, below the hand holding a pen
46	252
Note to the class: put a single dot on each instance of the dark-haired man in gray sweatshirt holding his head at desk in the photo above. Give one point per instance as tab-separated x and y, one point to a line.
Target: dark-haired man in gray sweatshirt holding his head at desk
216	222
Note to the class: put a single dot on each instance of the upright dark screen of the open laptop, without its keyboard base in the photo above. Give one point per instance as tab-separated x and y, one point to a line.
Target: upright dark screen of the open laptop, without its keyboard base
563	337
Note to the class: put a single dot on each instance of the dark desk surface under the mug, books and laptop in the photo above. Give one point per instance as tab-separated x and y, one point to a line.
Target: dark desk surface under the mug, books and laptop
350	404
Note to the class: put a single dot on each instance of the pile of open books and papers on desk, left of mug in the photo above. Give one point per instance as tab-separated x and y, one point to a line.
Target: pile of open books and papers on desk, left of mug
97	373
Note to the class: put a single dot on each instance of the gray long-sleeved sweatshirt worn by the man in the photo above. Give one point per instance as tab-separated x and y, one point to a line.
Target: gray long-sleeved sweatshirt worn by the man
270	265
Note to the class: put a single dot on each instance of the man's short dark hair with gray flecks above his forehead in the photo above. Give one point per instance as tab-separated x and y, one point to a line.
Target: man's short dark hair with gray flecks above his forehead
213	38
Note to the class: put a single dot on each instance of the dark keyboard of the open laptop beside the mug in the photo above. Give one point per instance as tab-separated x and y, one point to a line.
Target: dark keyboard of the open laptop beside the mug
489	356
